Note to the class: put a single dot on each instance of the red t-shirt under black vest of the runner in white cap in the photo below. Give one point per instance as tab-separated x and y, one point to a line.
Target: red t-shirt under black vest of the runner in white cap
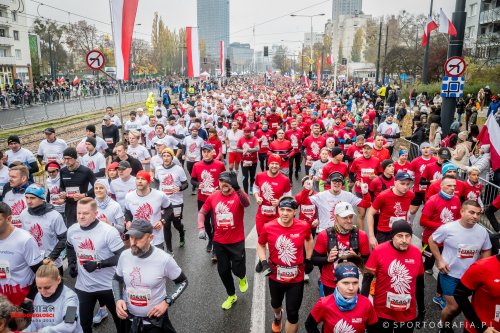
321	246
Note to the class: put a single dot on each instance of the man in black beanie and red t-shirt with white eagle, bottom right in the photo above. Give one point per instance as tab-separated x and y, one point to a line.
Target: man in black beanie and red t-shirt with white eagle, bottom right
399	286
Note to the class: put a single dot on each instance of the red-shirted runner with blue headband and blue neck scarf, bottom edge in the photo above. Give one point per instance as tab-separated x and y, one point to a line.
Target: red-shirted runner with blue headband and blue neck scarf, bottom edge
337	316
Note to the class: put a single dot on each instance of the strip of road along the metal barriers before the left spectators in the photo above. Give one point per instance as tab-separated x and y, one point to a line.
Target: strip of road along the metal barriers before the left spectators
14	117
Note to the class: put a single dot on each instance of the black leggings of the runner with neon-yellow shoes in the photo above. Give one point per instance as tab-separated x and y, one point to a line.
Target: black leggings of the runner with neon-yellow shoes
230	257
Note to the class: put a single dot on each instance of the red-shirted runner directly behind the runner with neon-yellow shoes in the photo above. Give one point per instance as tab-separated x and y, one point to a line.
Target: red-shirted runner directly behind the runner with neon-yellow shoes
205	176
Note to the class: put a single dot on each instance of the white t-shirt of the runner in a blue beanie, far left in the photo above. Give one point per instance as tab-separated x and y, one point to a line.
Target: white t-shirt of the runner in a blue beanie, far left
44	230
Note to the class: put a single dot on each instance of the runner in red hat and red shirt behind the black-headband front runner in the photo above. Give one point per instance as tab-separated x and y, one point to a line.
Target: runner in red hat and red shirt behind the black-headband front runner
269	186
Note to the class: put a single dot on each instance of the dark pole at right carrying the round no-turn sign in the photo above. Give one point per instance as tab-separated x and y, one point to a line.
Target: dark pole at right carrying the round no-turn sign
455	48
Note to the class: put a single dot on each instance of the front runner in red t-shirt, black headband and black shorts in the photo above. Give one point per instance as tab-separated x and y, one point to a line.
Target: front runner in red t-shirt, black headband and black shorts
290	245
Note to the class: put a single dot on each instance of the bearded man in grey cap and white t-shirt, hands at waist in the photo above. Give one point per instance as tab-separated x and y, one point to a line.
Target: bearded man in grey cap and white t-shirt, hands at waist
141	273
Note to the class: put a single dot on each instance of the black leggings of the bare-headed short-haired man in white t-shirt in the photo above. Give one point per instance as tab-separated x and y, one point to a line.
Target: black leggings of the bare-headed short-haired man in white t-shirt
87	303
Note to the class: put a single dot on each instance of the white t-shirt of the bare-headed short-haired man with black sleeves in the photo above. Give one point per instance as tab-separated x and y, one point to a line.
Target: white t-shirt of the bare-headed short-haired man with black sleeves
95	244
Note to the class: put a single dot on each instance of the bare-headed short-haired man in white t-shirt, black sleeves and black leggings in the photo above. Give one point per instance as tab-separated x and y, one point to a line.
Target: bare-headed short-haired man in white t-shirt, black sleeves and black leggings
93	251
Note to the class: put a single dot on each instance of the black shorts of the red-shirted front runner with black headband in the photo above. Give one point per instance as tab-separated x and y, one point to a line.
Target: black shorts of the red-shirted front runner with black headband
294	293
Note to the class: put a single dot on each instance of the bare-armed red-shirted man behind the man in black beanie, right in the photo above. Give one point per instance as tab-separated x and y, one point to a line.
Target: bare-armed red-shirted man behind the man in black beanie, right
392	204
